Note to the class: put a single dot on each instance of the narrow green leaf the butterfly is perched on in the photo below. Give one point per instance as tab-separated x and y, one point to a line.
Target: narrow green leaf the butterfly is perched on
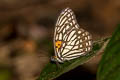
51	70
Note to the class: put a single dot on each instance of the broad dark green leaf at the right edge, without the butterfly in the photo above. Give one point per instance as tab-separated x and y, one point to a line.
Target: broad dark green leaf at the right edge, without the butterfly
109	67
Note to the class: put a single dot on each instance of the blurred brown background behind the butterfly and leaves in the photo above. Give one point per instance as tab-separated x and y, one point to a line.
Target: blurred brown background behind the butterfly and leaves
27	27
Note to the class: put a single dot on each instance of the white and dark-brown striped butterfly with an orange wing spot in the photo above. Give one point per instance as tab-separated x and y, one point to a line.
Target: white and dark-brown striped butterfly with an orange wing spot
70	40
